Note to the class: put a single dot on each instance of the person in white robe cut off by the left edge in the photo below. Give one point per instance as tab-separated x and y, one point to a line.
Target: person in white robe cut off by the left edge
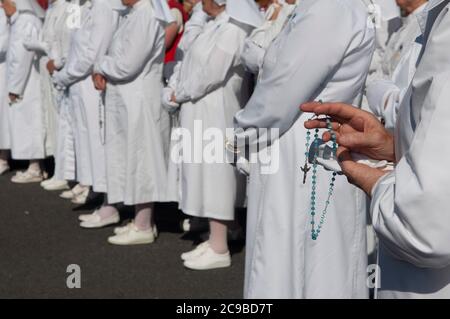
5	142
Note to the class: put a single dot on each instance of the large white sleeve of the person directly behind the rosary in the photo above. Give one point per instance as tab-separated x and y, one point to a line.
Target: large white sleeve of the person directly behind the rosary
288	82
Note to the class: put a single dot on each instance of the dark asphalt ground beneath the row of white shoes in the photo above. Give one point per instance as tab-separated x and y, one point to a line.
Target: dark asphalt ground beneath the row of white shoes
40	238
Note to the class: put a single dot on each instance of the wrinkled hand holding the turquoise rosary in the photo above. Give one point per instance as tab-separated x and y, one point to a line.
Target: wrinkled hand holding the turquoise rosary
359	132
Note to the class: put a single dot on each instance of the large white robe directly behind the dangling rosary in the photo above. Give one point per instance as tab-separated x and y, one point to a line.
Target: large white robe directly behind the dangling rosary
313	58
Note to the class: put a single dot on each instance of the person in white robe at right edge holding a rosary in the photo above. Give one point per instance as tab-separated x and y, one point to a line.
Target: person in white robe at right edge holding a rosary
408	207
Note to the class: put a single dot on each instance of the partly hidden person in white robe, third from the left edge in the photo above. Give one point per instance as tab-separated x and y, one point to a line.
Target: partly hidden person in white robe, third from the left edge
53	46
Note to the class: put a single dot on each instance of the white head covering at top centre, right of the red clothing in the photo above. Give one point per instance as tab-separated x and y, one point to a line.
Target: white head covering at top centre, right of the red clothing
245	11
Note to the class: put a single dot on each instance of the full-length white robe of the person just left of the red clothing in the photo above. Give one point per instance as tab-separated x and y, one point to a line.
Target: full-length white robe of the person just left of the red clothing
136	168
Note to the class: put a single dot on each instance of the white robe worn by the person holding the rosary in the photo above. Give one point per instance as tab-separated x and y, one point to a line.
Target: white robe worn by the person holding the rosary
409	206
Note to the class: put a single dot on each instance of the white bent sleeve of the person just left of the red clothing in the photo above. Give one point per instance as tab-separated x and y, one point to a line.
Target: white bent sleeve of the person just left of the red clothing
132	60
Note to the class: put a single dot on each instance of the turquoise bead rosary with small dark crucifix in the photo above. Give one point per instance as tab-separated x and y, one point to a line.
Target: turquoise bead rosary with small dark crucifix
311	155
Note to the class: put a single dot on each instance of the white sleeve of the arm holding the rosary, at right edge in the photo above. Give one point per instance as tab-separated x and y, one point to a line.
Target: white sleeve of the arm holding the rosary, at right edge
409	207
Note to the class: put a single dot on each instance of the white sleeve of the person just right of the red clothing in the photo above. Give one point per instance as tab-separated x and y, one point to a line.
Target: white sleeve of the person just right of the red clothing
213	73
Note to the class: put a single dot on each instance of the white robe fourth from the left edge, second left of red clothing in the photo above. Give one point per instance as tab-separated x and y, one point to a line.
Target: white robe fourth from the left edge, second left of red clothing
98	23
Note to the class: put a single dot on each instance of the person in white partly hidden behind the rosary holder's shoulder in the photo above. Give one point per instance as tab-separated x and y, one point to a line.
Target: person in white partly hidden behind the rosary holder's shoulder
386	91
